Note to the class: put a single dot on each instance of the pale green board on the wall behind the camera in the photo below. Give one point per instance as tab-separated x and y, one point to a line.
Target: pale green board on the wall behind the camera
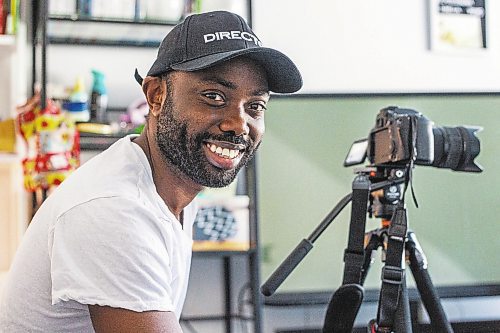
301	178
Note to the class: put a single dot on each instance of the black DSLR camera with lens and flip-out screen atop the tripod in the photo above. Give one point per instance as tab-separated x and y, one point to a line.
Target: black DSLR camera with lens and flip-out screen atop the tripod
404	136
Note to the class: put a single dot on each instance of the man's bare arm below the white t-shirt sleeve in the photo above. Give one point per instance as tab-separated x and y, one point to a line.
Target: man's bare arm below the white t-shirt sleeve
109	320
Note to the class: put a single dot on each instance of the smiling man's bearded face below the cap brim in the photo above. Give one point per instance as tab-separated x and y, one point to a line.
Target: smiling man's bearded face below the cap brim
212	120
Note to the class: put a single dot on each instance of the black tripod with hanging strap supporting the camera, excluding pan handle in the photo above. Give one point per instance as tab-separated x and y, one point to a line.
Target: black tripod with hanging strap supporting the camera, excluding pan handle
399	245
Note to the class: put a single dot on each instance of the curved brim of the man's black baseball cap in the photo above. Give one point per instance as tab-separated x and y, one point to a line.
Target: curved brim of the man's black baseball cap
282	74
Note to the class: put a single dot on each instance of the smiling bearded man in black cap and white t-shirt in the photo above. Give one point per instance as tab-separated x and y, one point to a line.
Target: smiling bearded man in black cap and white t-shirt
110	250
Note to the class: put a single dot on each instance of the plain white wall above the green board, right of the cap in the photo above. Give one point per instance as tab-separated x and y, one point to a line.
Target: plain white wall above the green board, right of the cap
361	46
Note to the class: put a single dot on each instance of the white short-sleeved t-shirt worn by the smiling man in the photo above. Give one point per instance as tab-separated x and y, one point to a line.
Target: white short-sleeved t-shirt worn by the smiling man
103	237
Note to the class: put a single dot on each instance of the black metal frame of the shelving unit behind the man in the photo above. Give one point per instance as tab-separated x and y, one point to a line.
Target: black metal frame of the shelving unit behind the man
95	142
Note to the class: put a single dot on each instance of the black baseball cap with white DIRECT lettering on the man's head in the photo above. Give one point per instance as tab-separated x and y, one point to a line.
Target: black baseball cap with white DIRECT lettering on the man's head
207	39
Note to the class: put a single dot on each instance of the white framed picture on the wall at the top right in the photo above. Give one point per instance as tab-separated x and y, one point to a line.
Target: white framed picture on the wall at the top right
457	25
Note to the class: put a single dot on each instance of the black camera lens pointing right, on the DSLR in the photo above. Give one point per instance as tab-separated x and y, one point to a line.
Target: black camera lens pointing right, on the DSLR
456	148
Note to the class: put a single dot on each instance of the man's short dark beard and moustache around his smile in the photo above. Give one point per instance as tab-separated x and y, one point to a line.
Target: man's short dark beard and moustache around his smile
184	151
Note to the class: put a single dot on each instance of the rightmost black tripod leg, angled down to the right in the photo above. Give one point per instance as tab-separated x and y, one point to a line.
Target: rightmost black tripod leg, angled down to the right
428	293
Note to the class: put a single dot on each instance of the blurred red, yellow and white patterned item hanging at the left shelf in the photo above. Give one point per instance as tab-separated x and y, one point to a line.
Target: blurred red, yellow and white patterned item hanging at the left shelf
52	144
